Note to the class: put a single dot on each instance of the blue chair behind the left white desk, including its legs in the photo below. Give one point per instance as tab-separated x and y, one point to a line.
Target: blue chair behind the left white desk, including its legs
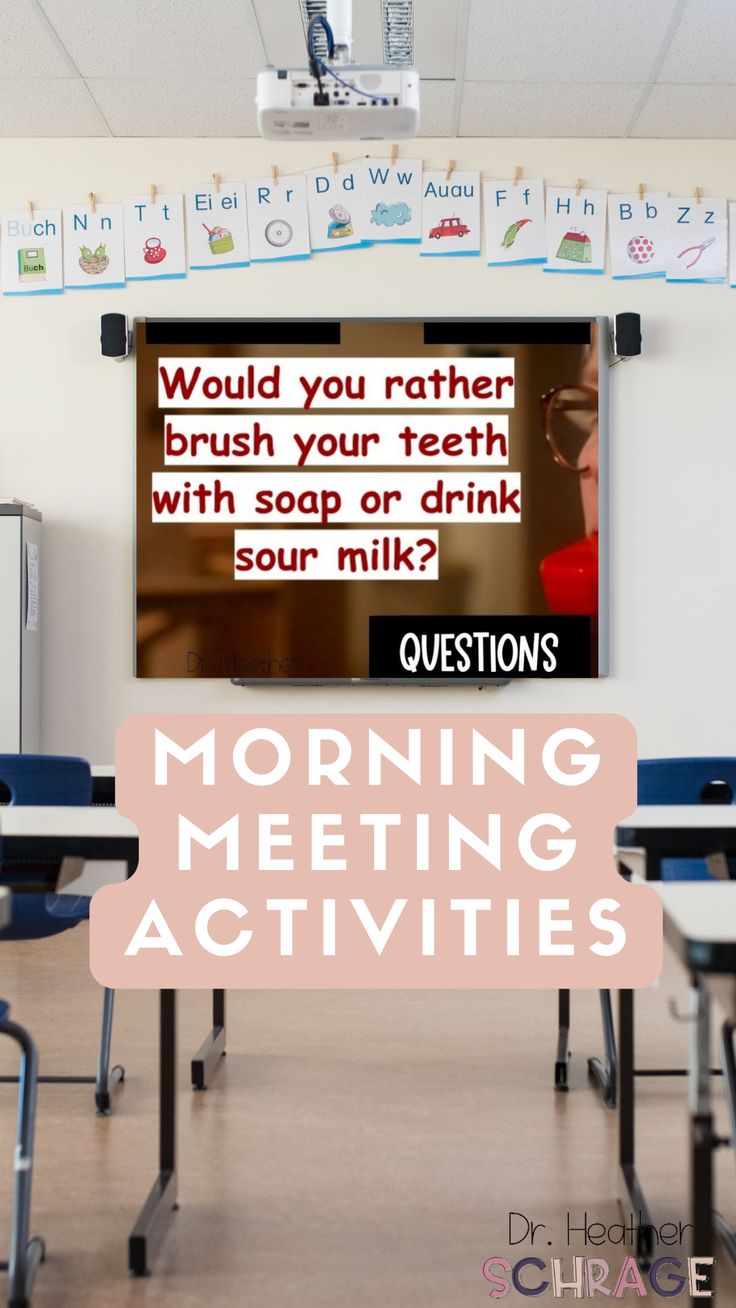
53	780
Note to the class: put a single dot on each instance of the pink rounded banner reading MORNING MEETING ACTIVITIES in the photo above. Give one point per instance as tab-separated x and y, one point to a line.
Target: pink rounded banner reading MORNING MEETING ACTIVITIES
359	851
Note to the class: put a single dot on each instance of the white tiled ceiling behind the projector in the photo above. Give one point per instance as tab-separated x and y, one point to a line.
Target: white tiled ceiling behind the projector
490	67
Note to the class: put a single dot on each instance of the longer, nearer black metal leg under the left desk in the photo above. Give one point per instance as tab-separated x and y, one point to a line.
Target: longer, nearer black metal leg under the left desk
154	1220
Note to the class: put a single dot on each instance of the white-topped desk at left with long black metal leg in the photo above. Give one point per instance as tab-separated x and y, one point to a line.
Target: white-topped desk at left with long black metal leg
101	834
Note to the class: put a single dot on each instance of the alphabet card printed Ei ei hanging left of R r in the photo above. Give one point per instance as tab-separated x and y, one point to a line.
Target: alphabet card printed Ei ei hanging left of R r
218	227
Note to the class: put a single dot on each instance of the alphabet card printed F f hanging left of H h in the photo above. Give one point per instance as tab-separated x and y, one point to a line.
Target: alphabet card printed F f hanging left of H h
514	222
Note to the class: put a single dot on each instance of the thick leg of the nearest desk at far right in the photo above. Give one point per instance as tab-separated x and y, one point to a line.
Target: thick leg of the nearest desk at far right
701	1127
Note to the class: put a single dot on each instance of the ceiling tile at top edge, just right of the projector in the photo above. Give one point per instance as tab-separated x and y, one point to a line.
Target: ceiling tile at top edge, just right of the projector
565	41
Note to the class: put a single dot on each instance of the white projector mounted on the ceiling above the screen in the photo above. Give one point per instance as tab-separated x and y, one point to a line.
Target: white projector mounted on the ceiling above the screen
337	99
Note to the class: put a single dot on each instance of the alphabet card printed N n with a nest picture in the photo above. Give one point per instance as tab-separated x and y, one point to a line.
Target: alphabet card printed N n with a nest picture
95	247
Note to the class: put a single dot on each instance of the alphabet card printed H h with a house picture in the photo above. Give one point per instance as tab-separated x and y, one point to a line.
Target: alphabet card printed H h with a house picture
576	231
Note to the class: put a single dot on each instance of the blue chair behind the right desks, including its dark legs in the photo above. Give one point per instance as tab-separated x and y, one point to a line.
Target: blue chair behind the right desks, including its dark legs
660	782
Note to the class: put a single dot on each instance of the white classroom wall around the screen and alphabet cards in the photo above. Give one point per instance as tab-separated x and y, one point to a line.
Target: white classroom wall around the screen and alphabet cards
67	439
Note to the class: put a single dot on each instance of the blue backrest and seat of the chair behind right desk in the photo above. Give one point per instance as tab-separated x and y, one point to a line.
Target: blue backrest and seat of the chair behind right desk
687	782
